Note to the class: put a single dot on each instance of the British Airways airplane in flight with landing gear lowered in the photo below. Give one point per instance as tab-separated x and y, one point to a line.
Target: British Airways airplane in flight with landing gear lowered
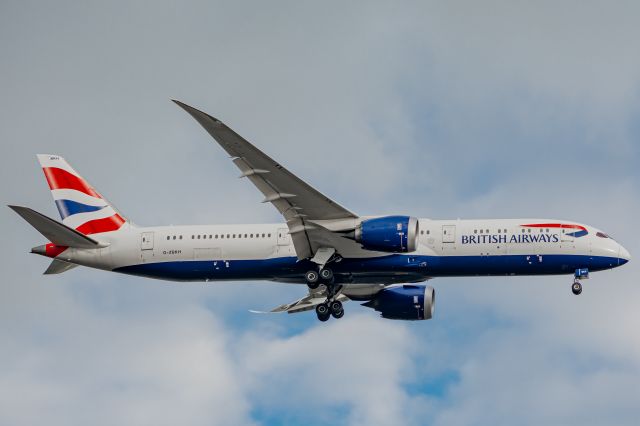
381	261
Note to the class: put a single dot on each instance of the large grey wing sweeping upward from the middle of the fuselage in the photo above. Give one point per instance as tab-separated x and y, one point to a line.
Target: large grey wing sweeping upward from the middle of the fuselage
298	202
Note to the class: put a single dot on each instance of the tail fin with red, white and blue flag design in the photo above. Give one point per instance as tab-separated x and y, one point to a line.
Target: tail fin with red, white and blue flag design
81	207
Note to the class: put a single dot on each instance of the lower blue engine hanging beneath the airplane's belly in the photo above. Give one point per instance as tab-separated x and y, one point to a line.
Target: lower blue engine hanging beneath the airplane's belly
405	302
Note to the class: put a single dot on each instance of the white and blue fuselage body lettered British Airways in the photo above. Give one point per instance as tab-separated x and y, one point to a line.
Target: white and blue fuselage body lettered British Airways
265	251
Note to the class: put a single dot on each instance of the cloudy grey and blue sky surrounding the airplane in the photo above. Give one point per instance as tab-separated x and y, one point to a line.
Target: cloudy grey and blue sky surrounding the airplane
458	109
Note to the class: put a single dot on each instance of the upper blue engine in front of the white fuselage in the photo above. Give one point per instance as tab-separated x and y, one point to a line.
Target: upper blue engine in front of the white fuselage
394	234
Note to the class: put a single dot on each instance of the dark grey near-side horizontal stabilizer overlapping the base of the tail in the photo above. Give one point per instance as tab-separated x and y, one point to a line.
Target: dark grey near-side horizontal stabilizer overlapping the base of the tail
56	232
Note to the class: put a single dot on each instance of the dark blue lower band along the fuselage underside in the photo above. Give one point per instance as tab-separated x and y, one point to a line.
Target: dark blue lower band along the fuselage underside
381	269
